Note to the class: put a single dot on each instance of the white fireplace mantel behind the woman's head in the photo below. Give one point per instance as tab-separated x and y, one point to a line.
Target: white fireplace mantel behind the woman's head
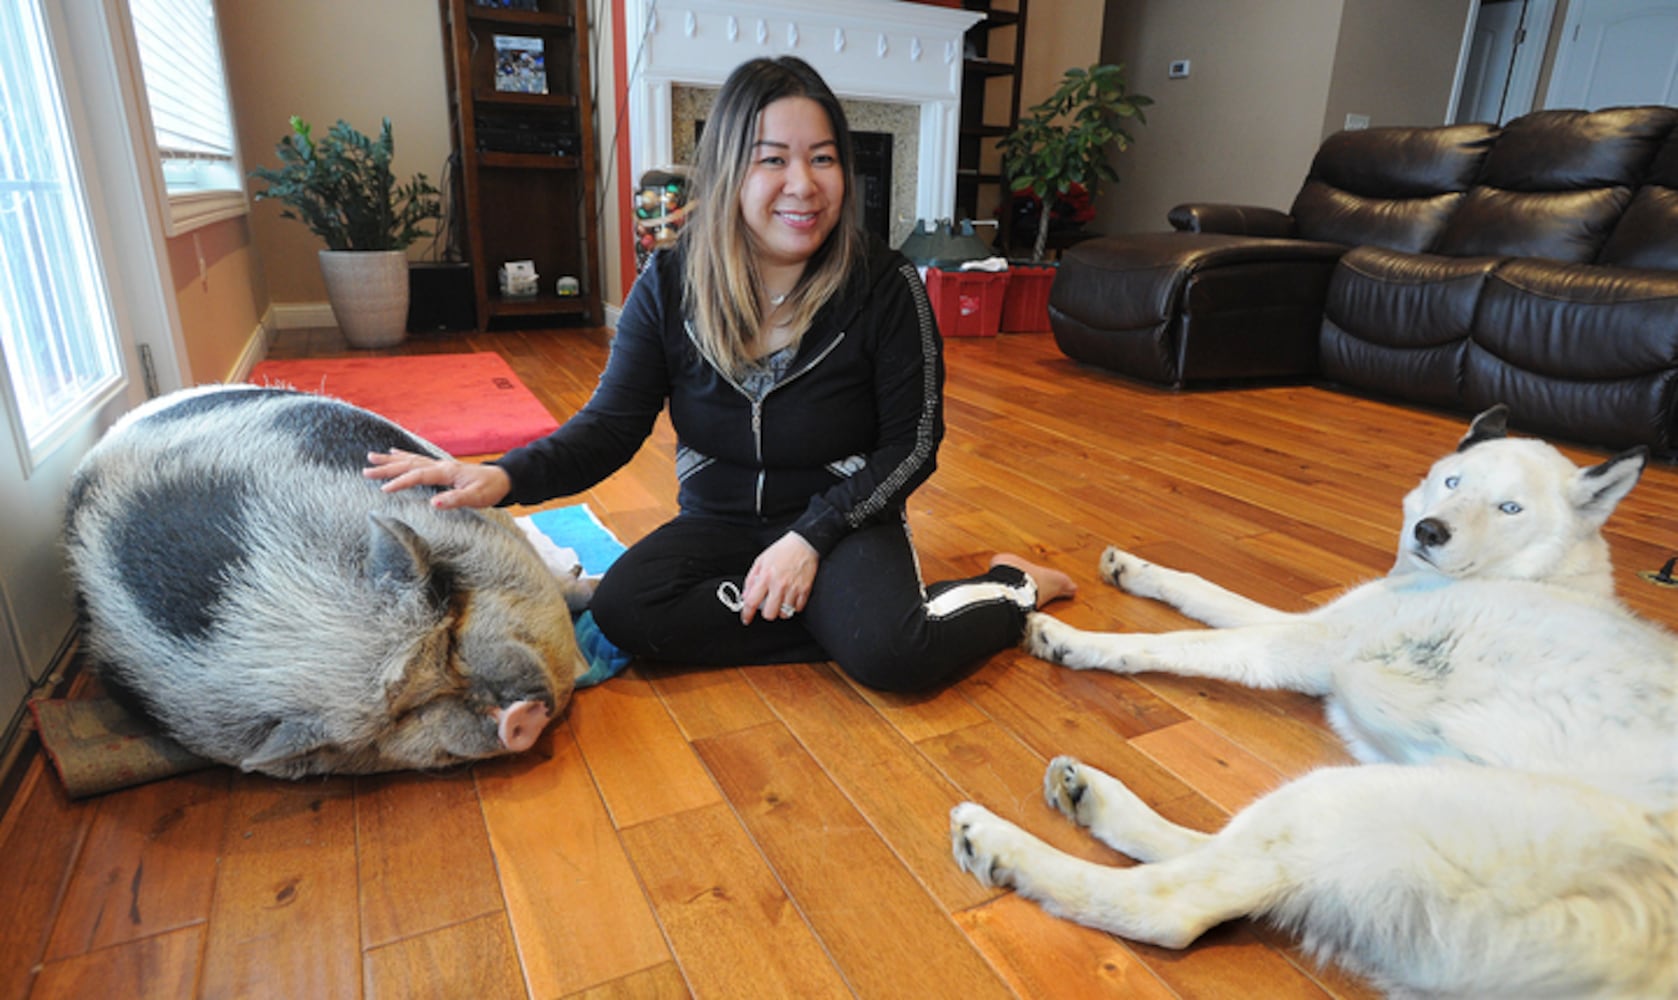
889	51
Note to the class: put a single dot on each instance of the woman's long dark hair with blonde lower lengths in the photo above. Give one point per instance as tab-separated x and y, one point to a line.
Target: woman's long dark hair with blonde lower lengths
724	289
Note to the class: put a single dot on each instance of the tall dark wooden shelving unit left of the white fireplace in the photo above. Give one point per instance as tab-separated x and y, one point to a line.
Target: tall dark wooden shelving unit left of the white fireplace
524	187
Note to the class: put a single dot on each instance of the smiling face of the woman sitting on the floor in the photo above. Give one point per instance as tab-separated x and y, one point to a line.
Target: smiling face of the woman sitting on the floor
795	190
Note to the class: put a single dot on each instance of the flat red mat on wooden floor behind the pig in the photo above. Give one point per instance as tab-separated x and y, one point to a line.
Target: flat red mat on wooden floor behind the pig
462	404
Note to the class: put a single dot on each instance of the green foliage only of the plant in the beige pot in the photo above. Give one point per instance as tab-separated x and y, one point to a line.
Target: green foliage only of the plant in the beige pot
345	192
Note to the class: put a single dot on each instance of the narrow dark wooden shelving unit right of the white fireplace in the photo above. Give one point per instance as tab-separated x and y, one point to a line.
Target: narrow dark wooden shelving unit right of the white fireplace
986	117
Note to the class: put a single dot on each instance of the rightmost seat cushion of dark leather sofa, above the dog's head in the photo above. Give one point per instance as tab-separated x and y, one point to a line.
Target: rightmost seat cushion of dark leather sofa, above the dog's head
1585	353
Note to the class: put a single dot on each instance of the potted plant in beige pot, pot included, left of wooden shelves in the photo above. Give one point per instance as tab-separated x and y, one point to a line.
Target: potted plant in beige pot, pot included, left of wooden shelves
345	192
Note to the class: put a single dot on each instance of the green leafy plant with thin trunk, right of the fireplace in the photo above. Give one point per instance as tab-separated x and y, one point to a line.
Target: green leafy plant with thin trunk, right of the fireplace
1066	140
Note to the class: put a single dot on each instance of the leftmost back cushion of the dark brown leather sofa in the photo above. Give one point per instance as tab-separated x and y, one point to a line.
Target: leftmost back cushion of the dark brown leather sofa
1392	187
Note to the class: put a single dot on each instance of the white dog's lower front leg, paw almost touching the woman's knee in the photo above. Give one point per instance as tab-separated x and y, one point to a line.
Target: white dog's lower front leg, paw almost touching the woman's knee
1281	655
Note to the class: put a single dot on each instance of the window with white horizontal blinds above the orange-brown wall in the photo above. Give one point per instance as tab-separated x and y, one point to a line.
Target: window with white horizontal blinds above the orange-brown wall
180	60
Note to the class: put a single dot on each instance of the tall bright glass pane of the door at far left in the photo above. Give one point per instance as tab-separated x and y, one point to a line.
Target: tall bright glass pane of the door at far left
56	330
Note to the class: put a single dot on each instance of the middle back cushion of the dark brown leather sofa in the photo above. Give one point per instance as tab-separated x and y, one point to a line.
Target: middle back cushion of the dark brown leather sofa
1556	182
